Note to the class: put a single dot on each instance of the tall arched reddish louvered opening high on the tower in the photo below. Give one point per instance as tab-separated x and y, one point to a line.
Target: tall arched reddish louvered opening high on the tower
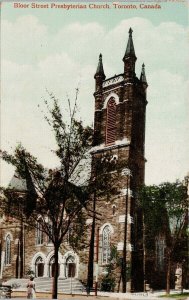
111	122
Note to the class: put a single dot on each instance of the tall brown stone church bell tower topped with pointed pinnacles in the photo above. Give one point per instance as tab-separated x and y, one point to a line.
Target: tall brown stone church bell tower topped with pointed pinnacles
119	134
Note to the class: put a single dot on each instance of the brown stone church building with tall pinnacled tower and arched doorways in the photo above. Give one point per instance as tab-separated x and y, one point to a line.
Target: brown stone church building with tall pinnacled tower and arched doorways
119	136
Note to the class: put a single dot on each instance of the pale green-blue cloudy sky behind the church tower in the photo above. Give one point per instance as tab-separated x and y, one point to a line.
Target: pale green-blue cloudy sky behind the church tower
57	50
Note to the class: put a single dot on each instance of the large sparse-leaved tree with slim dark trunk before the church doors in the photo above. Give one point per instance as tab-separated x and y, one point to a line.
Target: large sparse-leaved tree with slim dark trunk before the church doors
52	197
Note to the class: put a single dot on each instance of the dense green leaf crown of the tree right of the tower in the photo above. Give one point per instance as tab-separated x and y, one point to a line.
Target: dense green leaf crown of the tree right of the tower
165	207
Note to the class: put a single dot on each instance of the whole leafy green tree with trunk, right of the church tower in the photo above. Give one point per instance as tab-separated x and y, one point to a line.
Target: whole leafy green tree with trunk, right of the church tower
165	209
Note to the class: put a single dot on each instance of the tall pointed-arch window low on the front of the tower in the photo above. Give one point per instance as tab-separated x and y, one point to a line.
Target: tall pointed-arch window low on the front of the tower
106	244
